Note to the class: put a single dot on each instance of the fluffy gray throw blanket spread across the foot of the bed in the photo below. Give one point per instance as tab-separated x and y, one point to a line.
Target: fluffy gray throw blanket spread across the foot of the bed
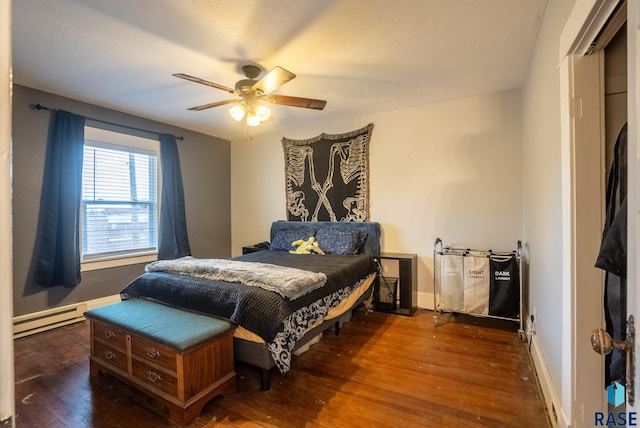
288	282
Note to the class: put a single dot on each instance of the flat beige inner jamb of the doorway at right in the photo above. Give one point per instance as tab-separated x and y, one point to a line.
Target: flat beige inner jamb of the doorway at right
584	206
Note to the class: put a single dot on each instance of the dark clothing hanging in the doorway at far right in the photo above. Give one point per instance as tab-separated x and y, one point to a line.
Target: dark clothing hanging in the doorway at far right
613	259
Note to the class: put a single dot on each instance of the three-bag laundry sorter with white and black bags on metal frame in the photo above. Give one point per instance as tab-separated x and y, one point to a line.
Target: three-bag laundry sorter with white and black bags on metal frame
485	283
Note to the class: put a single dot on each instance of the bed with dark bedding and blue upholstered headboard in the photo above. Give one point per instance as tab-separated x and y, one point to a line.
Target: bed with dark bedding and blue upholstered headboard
274	324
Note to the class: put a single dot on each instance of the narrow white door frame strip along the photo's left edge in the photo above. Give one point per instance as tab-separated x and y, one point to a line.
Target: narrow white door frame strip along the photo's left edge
7	385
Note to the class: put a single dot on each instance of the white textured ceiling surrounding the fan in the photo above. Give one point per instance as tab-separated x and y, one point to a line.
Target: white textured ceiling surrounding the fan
362	56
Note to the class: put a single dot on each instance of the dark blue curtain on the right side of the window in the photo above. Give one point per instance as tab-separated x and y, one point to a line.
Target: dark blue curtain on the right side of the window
174	242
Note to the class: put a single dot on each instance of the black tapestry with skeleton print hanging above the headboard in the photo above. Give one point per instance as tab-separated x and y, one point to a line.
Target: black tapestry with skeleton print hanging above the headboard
327	177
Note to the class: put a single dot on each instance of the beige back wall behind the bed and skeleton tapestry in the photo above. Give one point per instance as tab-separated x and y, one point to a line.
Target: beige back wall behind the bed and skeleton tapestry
450	170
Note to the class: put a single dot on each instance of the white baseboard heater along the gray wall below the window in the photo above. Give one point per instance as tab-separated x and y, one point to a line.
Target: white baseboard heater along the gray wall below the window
37	322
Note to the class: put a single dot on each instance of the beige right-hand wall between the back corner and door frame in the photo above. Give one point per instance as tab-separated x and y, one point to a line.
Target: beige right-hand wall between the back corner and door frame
542	189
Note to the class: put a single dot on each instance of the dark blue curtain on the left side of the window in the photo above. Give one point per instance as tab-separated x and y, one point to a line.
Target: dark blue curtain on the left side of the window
57	251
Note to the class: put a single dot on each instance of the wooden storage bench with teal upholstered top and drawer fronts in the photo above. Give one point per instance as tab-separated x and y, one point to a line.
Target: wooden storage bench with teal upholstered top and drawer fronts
182	358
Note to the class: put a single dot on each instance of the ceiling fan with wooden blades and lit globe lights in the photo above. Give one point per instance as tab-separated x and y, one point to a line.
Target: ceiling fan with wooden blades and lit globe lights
254	95
